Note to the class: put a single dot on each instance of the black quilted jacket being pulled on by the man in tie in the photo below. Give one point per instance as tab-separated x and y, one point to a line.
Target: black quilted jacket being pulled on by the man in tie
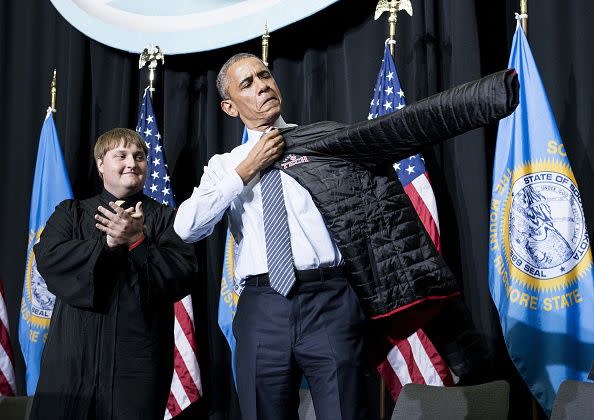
348	171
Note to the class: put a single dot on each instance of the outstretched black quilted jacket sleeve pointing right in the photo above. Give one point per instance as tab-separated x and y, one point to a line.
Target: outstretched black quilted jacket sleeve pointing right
406	132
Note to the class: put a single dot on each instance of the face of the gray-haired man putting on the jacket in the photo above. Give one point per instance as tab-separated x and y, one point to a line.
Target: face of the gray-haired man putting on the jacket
253	94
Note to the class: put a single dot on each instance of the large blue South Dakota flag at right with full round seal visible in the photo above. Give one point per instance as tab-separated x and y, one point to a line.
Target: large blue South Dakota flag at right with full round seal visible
540	258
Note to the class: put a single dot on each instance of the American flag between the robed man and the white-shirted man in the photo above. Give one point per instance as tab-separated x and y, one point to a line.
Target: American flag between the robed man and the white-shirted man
186	386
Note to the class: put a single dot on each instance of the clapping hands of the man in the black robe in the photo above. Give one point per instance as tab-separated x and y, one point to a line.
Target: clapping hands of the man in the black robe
124	227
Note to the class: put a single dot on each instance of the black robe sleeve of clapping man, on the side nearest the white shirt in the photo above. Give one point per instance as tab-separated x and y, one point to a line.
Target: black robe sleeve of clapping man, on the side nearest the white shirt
163	266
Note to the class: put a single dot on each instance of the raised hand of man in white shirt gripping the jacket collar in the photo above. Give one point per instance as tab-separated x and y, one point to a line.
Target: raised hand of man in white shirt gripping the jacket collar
268	149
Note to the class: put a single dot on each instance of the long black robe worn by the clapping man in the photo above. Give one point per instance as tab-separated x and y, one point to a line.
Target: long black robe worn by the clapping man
109	350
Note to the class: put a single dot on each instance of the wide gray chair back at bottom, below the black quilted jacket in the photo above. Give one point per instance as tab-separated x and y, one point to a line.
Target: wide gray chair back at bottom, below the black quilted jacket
489	401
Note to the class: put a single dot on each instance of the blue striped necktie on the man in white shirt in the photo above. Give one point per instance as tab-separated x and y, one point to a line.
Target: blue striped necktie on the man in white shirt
276	233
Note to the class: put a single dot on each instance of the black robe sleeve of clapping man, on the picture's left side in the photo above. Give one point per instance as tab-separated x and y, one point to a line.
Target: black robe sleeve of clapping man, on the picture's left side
71	267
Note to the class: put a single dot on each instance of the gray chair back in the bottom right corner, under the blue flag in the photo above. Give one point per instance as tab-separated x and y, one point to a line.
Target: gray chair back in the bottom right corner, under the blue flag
575	400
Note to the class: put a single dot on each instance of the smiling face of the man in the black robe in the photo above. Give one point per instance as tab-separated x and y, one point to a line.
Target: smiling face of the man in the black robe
123	170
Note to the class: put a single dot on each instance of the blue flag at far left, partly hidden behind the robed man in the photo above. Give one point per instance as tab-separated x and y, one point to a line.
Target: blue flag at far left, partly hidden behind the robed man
50	186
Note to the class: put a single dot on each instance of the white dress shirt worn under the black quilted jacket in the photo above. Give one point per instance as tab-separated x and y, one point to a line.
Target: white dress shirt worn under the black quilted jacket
221	189
